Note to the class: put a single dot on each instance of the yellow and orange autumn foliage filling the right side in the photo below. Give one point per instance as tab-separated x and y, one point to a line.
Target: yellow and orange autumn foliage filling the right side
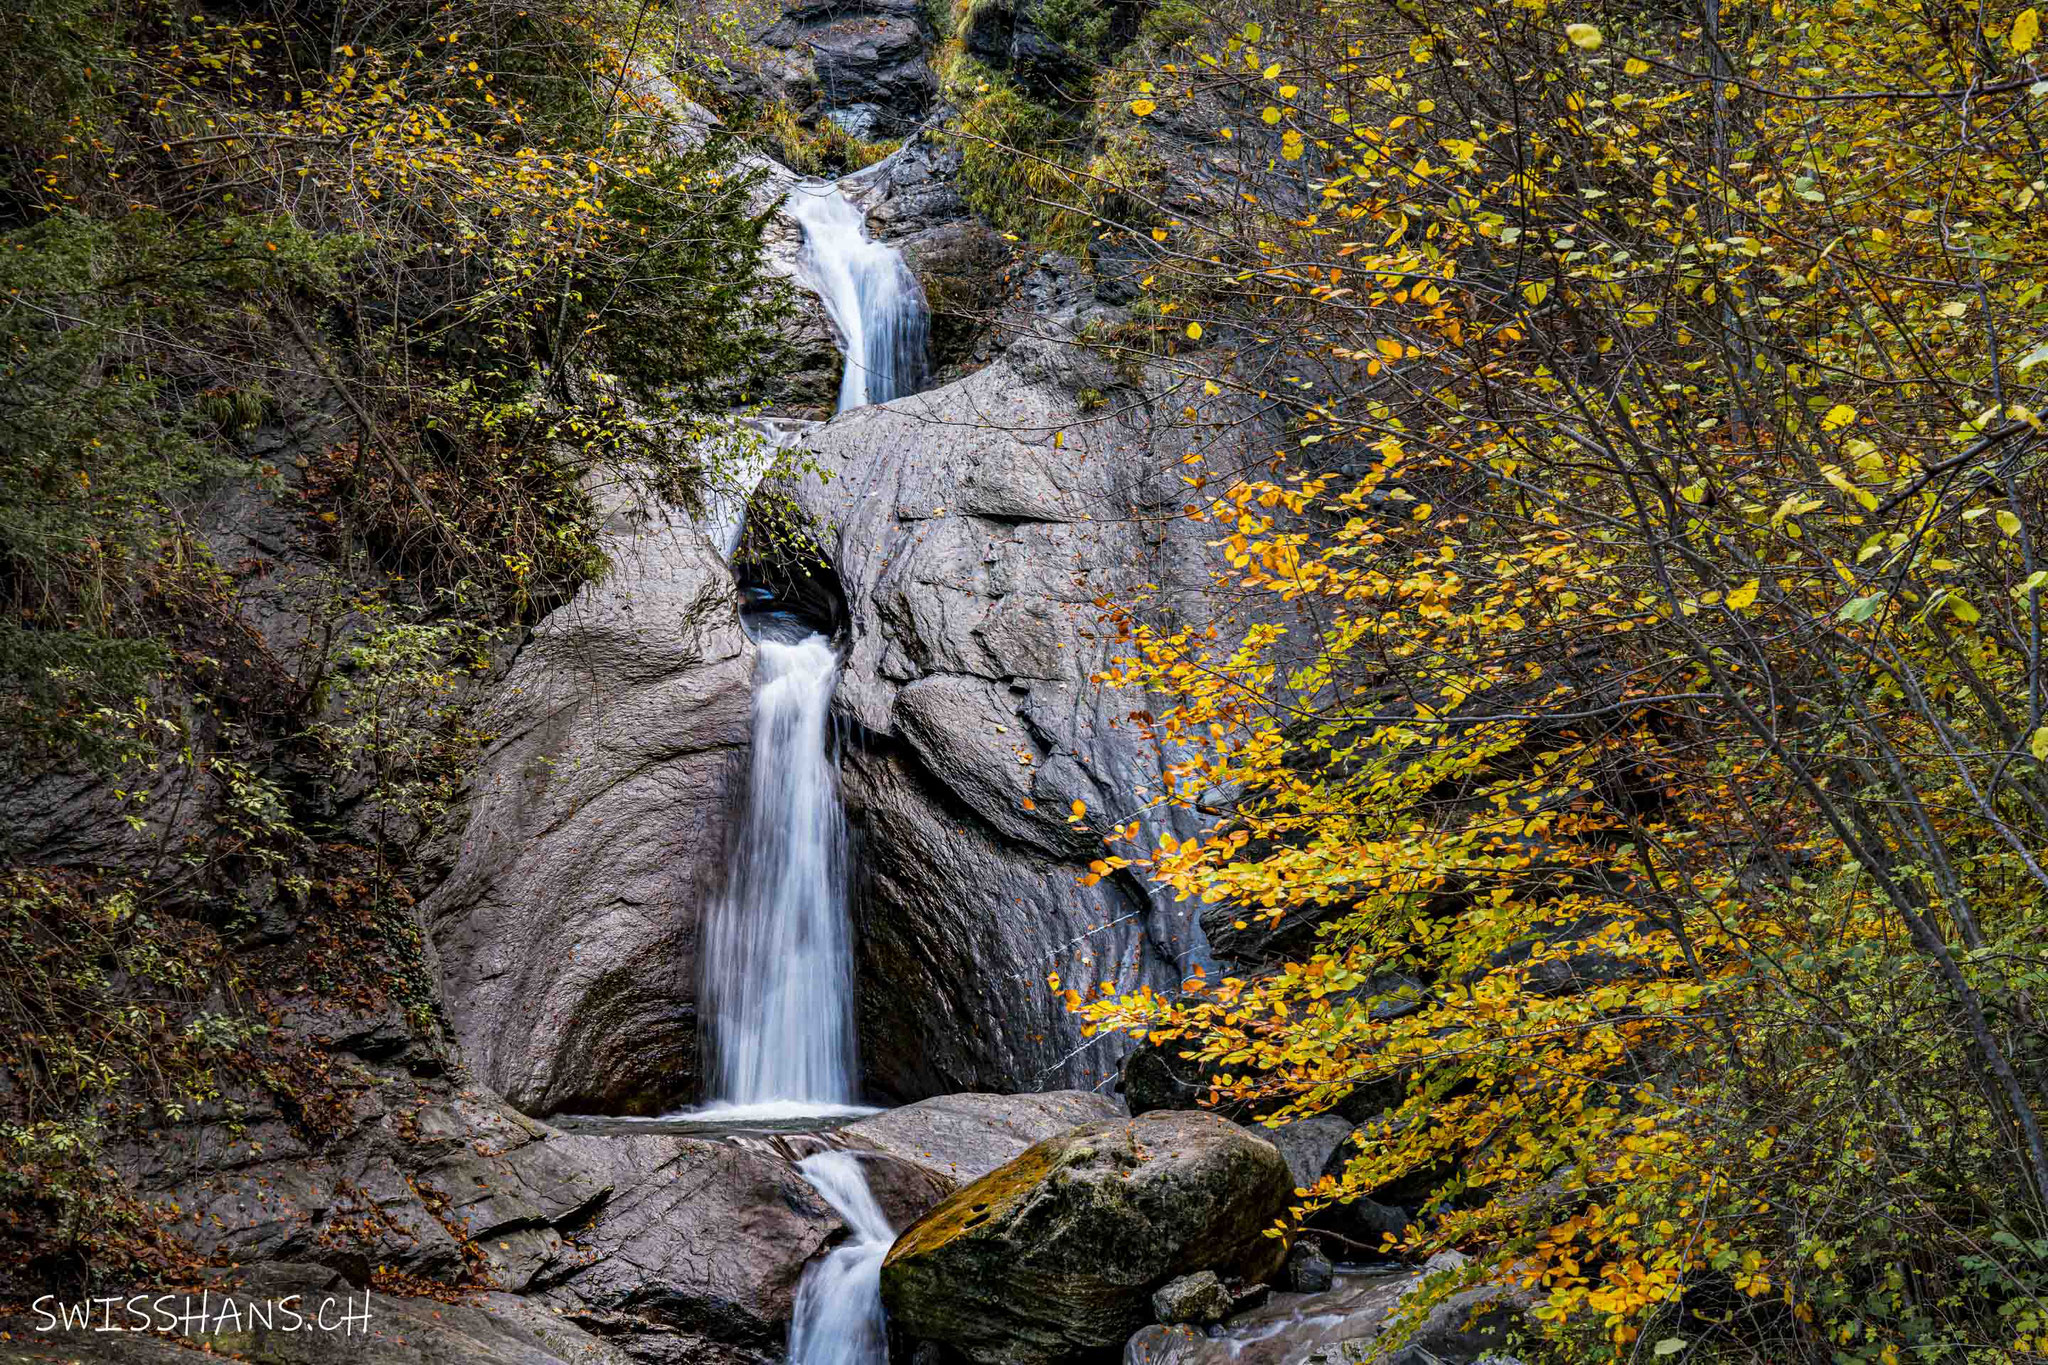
1652	652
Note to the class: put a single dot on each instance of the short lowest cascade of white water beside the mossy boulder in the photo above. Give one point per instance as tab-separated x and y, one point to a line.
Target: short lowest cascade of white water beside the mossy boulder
841	1301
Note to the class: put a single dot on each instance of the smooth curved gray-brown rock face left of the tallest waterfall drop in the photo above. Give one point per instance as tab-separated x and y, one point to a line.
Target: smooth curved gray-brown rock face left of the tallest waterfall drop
597	832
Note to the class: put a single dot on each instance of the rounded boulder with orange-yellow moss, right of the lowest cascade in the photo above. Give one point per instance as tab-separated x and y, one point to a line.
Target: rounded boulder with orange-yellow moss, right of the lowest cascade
1056	1256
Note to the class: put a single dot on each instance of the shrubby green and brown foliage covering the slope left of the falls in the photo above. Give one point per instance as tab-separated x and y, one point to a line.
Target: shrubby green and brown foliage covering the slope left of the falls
407	281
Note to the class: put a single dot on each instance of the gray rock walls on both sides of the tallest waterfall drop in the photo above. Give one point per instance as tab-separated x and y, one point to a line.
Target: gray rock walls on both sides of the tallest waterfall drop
972	531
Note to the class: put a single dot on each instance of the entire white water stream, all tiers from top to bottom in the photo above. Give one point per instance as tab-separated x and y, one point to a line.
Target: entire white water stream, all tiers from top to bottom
777	953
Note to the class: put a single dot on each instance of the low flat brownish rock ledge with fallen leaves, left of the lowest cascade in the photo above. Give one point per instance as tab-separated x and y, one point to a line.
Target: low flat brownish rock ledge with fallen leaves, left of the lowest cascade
636	1235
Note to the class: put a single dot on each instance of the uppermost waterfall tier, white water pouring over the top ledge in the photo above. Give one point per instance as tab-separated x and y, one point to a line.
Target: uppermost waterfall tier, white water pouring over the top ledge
869	294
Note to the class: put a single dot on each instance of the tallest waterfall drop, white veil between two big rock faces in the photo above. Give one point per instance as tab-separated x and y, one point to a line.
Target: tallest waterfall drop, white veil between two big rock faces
777	957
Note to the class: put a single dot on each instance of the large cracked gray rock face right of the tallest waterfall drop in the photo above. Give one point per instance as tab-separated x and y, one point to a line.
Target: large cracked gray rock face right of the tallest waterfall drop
974	531
